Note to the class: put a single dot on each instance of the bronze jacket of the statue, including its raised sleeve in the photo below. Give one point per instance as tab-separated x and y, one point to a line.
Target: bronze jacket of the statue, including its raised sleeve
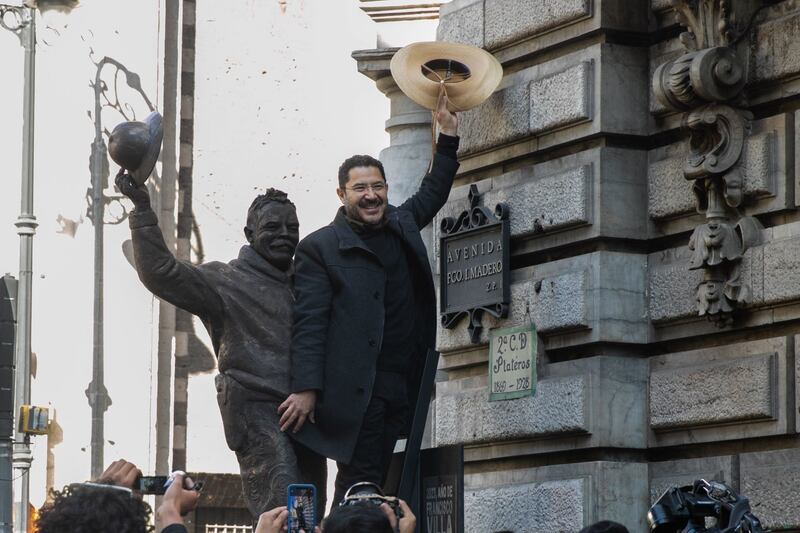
245	305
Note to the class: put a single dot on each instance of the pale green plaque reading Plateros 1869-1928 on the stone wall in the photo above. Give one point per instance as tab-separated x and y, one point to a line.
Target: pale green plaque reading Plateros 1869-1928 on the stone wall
512	362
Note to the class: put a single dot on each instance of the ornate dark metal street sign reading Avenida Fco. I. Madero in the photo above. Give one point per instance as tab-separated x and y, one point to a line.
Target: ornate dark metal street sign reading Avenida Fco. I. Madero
477	242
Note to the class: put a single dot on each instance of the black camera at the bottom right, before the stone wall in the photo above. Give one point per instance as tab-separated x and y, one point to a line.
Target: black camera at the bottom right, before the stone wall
685	509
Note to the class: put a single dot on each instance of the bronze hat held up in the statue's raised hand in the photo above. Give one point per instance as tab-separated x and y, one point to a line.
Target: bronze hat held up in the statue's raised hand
135	146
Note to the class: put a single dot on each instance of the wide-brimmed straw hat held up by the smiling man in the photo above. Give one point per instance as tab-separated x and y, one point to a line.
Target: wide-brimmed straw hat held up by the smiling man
470	74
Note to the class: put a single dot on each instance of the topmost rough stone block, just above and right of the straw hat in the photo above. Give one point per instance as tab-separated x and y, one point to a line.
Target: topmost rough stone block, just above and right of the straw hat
513	20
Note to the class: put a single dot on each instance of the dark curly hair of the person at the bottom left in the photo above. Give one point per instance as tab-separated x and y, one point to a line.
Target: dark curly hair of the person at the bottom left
82	509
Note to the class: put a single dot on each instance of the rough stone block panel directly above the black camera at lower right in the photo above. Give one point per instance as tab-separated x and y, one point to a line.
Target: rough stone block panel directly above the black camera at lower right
667	474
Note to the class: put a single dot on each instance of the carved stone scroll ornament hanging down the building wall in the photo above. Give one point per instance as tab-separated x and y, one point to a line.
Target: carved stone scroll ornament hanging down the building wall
706	84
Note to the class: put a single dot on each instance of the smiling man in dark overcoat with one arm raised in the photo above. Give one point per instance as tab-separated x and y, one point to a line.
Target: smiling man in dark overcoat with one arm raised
365	316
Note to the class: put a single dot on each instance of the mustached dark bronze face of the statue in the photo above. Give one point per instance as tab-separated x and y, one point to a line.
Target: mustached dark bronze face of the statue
274	233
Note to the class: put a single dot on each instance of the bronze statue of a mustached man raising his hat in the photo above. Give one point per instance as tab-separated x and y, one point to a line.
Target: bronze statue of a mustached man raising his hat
246	306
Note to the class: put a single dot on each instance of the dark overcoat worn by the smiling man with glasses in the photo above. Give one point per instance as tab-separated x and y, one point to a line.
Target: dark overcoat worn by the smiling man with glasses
339	314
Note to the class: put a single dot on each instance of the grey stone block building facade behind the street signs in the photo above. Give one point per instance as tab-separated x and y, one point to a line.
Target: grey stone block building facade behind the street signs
660	361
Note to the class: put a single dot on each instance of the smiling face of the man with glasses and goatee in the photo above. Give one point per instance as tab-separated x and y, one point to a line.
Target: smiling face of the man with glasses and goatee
365	195
